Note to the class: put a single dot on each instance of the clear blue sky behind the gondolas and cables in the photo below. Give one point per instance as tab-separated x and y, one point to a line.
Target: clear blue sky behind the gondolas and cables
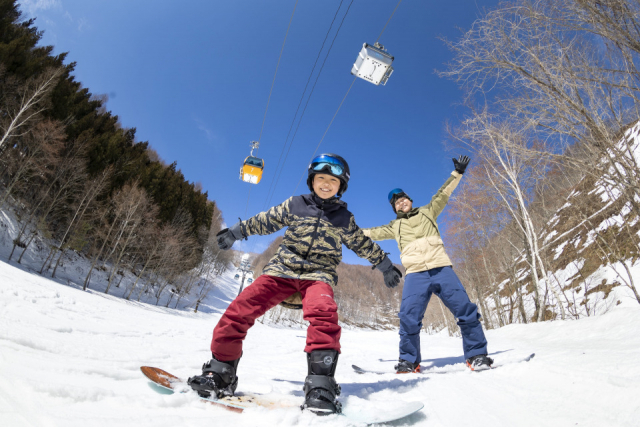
194	78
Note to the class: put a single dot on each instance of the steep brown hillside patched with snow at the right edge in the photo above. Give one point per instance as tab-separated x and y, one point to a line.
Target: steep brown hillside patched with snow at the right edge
591	248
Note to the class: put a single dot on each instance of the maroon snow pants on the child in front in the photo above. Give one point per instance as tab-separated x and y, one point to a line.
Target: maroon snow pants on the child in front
318	308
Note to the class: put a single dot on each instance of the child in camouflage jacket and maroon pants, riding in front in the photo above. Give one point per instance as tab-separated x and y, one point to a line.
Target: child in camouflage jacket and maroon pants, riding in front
300	274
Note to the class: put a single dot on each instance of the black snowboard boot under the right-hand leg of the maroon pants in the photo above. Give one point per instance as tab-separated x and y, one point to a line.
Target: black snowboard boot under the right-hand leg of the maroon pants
320	388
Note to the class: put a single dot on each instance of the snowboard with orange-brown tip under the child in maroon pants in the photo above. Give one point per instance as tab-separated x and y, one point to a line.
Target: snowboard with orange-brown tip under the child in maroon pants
371	413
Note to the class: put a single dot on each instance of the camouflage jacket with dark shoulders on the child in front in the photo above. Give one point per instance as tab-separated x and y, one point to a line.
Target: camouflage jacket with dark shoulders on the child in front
312	245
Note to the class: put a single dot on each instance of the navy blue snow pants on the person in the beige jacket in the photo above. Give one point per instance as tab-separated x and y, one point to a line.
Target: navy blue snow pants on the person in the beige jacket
418	288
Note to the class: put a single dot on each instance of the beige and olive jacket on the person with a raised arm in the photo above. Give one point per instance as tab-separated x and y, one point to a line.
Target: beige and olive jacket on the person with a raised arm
417	233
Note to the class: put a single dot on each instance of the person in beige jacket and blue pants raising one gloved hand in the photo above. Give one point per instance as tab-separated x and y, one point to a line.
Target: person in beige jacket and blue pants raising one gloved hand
429	271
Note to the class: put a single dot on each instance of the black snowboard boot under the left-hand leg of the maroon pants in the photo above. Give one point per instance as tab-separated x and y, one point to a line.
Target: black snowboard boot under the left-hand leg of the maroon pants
218	379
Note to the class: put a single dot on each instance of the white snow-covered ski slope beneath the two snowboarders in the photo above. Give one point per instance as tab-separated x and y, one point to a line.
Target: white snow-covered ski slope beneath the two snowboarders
72	358
